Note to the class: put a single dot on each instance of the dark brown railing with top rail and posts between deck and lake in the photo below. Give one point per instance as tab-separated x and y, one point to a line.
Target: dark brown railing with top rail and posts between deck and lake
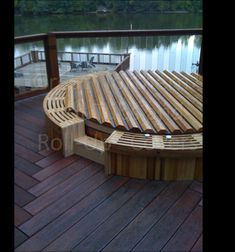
50	40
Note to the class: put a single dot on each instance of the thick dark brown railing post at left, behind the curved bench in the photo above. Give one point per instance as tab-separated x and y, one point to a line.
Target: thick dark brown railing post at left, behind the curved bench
51	60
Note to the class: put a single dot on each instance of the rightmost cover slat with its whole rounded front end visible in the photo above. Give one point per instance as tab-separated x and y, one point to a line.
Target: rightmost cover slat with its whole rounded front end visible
183	124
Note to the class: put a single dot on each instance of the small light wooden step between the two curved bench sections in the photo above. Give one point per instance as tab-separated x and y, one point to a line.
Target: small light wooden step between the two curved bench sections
89	148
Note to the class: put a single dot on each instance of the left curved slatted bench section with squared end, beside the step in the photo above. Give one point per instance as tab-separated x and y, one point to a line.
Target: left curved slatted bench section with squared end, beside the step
62	125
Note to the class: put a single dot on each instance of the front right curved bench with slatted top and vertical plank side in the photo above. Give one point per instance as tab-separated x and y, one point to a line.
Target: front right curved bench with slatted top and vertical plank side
154	156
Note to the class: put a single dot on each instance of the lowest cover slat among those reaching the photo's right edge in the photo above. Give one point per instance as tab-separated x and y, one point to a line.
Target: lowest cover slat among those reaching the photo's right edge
184	112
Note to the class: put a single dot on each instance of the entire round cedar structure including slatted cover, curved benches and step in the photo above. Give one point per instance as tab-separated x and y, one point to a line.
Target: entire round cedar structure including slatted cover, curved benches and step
127	153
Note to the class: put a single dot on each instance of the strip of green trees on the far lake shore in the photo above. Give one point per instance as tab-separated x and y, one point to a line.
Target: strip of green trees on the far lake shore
36	7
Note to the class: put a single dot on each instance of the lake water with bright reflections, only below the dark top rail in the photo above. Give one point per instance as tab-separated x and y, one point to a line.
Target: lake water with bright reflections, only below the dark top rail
154	52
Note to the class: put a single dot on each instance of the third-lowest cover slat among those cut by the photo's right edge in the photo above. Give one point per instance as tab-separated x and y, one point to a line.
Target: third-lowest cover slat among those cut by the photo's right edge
183	91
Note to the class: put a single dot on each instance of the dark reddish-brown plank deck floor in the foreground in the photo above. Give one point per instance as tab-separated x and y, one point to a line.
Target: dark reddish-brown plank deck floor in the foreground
68	204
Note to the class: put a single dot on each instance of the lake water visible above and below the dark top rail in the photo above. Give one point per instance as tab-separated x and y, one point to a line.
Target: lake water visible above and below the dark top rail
155	52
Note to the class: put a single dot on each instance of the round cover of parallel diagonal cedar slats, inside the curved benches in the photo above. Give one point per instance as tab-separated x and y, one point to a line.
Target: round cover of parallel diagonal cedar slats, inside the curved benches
146	101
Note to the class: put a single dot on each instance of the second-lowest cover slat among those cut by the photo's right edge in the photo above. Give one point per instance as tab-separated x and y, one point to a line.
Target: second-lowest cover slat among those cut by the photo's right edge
177	95
